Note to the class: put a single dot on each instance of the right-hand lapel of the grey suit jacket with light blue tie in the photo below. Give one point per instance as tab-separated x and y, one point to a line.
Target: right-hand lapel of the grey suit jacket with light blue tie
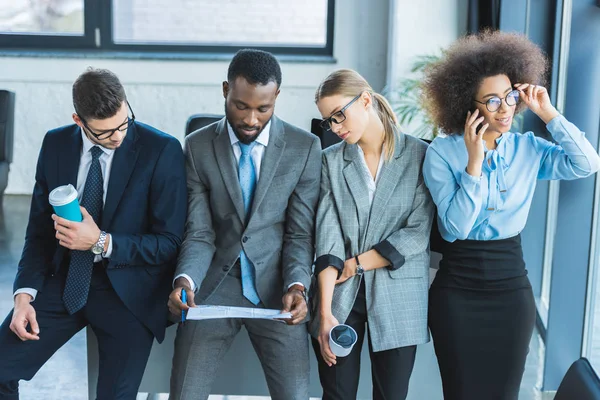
270	161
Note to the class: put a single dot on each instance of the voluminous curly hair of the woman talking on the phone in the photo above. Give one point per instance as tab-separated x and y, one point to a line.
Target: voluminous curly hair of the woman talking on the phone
450	85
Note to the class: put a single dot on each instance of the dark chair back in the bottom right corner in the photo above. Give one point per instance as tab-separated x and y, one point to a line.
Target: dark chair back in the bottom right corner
580	383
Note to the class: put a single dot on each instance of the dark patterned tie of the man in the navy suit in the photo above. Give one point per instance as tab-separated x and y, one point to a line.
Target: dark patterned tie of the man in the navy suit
79	276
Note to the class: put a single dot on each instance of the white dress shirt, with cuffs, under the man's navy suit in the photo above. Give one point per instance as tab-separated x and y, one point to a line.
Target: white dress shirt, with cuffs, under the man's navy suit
85	161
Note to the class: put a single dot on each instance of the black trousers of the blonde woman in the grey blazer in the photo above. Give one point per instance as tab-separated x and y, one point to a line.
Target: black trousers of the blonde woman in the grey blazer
390	369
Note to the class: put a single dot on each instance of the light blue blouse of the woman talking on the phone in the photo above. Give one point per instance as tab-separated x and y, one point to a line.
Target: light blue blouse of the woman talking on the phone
496	204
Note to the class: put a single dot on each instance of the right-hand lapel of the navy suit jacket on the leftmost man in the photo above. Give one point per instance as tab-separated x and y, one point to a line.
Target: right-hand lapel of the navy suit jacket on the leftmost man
122	166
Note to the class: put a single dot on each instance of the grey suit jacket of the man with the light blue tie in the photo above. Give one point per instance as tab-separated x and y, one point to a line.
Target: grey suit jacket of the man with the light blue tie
279	235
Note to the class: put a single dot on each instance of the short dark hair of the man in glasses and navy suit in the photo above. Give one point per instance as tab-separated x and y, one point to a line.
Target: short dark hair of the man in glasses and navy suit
97	94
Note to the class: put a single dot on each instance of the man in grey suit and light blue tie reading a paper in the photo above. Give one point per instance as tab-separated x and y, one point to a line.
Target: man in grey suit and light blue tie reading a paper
253	183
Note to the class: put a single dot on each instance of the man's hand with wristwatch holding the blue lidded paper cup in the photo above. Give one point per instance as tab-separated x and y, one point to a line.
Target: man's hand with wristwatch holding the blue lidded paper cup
76	235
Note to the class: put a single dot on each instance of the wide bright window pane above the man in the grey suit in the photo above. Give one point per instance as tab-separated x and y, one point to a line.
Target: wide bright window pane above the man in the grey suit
225	22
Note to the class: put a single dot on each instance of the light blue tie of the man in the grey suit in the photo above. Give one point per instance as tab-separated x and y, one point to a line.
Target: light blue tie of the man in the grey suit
247	177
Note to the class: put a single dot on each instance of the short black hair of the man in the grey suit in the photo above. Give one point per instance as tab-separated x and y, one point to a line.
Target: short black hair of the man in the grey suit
256	66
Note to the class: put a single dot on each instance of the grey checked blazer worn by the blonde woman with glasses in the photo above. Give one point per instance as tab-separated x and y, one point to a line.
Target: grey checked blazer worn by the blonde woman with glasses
397	225
